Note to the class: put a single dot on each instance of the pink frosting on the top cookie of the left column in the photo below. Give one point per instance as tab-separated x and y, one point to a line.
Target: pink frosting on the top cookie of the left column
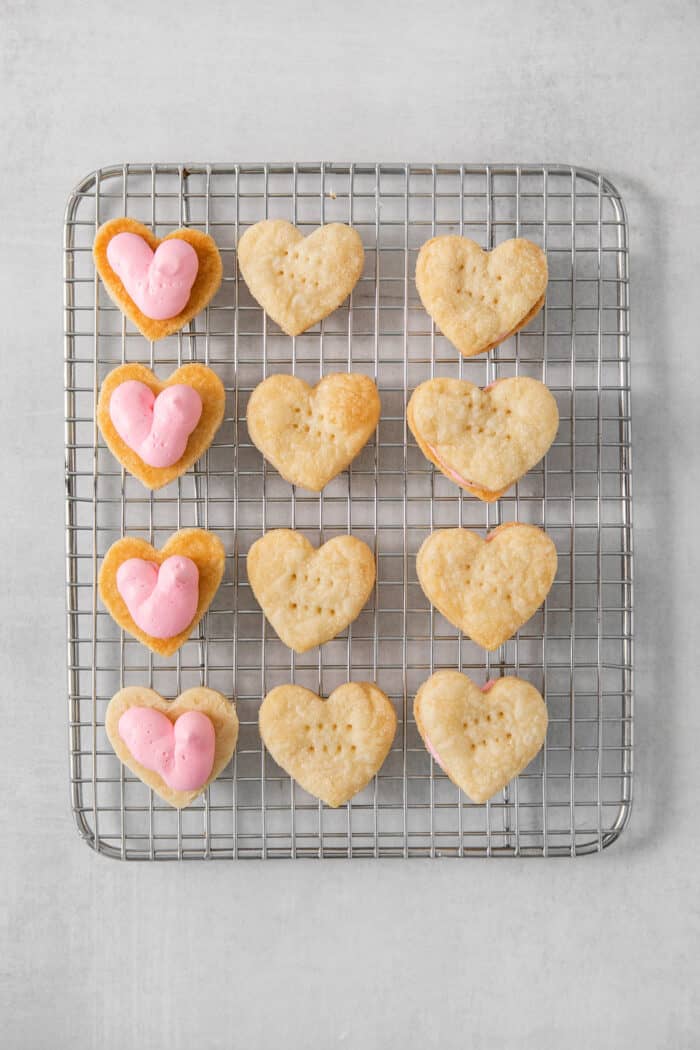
160	283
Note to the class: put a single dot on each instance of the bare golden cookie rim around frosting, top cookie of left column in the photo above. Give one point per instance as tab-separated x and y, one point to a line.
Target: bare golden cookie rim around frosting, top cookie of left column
204	289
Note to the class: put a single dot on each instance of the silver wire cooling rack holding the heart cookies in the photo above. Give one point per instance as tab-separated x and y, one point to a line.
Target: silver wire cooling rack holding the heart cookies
576	796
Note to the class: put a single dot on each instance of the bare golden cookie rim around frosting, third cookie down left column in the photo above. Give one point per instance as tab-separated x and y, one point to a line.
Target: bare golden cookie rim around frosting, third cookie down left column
202	548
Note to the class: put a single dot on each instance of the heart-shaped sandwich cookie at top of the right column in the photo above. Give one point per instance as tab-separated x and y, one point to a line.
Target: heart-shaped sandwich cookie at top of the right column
480	299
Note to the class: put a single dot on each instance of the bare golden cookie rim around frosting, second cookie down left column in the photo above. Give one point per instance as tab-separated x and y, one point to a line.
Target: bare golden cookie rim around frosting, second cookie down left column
203	381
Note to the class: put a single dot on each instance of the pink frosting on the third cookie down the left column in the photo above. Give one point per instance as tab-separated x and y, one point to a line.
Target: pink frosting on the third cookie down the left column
162	602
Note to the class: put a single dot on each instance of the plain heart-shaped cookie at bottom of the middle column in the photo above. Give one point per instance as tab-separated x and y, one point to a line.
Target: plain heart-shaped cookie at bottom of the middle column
332	748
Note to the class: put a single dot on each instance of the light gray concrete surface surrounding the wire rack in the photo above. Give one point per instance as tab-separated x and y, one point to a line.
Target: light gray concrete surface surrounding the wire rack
598	953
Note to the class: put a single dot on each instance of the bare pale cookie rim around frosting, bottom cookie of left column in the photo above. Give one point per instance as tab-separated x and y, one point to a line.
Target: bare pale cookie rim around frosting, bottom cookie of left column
221	712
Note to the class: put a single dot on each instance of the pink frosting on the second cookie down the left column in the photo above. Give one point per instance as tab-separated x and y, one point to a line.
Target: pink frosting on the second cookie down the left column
156	428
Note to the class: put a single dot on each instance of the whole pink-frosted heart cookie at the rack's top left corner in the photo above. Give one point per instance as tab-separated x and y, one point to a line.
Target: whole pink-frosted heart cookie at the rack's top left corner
150	280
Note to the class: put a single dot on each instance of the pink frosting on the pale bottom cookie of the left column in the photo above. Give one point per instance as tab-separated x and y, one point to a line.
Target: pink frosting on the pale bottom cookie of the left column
183	753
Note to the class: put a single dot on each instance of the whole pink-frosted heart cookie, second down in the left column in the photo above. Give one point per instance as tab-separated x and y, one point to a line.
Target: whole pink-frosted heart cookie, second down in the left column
151	425
